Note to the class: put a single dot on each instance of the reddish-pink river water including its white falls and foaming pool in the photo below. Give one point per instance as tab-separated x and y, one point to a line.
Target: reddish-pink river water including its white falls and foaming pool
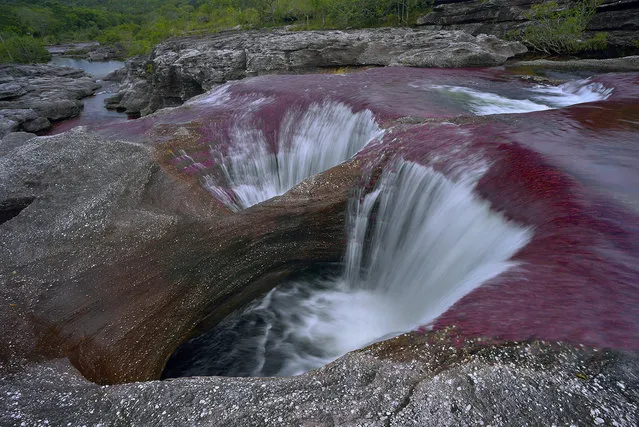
560	163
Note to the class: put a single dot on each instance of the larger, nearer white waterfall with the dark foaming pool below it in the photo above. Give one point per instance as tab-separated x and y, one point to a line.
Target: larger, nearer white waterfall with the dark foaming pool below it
417	244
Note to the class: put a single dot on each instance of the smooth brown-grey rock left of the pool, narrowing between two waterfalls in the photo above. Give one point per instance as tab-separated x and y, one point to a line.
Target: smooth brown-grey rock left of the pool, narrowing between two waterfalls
109	235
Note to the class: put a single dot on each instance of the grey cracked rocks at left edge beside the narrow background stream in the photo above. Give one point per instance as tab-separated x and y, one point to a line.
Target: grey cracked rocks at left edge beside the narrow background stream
32	96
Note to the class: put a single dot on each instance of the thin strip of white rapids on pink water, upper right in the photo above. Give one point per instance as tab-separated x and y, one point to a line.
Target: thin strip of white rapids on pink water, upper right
538	98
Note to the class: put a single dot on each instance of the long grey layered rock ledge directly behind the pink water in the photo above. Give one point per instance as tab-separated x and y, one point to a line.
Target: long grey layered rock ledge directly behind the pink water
179	69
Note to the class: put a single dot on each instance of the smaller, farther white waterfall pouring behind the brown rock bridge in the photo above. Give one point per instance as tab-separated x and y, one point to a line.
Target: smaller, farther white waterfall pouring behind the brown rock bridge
309	142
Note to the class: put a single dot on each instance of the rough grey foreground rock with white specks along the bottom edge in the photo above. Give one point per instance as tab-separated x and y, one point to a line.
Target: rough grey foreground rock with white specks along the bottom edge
411	380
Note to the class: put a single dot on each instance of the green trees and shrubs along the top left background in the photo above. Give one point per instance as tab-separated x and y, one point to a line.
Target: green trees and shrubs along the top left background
137	25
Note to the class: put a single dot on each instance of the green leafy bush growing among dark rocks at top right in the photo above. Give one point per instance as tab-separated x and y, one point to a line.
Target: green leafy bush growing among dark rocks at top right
561	31
